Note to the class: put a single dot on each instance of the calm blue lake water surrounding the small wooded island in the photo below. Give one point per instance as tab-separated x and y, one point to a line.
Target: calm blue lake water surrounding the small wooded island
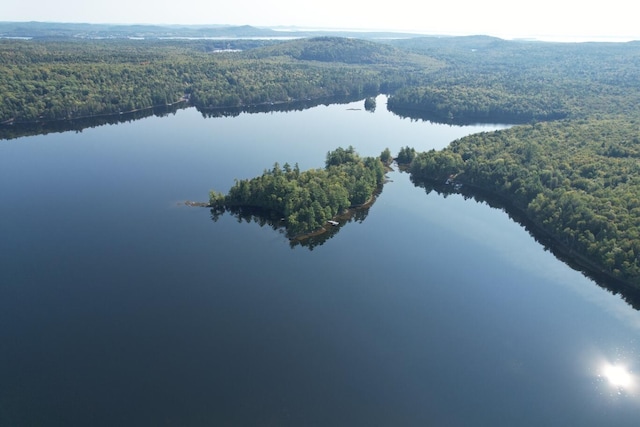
121	307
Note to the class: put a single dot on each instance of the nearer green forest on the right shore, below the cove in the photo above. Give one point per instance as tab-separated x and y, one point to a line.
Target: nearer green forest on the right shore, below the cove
578	180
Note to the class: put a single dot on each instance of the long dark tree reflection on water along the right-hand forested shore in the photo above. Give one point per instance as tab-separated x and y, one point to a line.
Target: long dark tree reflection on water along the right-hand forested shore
615	286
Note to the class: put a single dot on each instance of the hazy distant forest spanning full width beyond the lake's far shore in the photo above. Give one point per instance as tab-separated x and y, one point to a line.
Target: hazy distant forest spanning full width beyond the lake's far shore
458	80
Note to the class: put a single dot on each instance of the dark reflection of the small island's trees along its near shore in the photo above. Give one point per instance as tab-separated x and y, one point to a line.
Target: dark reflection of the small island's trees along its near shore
275	221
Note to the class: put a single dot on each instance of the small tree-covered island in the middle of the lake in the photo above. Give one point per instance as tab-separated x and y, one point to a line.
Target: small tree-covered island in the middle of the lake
306	200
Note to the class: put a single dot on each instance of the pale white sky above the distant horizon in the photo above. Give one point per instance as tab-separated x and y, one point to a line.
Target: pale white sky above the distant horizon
567	20
